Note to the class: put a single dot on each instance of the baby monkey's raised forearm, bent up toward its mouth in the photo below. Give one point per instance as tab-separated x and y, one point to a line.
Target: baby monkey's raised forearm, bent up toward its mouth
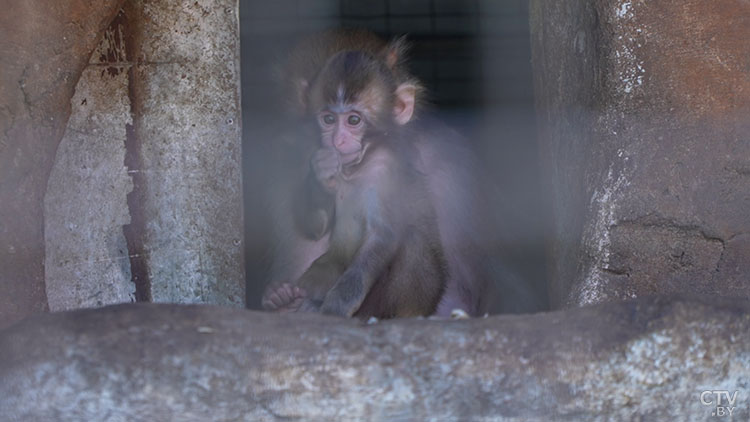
313	208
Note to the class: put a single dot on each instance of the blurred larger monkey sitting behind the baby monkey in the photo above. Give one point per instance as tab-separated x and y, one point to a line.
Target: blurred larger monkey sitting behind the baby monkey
440	159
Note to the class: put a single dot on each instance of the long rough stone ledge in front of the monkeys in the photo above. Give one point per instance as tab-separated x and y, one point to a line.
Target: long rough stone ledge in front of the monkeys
648	359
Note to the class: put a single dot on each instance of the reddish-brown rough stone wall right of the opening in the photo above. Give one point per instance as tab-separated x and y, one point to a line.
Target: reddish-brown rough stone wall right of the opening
645	131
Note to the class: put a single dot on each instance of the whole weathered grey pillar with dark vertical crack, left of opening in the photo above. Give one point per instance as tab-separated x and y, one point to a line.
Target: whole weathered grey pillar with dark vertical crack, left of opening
144	202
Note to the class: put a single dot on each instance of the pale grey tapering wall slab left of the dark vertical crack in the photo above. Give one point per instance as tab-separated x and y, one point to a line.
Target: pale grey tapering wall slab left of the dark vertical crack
86	259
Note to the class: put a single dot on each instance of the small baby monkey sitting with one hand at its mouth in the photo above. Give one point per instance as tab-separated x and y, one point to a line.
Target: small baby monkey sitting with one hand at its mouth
385	257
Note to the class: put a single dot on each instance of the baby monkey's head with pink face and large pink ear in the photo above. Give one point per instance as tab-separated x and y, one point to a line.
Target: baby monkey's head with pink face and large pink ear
356	95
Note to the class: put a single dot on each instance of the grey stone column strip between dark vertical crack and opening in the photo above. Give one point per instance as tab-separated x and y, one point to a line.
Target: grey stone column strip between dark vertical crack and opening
187	203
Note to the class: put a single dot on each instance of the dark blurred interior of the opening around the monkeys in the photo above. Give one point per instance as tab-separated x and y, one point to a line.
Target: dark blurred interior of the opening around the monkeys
474	58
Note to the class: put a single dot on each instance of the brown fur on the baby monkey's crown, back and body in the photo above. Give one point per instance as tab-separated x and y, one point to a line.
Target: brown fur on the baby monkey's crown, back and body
385	258
